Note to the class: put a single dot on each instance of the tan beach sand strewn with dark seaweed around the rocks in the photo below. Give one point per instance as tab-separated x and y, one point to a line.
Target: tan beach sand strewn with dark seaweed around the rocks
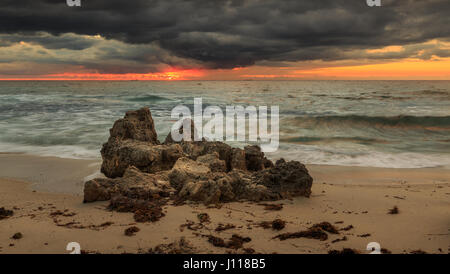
355	196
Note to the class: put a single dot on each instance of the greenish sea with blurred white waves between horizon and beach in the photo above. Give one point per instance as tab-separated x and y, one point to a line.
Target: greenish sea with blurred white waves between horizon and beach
403	124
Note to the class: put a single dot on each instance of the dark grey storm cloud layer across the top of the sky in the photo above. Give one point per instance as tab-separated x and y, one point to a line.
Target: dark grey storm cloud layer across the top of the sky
226	34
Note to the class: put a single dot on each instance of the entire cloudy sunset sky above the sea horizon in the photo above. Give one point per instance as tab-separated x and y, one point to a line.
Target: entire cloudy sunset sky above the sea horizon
224	40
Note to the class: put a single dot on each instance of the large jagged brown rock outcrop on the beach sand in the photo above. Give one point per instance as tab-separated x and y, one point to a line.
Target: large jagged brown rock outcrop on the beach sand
139	168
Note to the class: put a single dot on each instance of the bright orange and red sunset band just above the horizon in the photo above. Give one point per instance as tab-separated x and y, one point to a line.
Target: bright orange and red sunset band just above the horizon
408	69
